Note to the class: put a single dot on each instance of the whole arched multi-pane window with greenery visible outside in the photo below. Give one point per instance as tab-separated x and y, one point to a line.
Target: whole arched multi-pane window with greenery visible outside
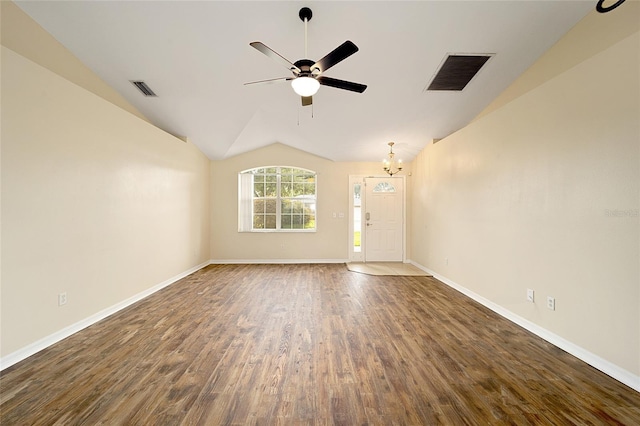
282	198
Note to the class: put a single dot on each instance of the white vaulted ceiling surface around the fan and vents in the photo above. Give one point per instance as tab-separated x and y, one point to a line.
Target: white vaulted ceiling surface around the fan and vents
196	57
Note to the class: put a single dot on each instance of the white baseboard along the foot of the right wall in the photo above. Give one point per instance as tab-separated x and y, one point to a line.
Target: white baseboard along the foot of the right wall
618	373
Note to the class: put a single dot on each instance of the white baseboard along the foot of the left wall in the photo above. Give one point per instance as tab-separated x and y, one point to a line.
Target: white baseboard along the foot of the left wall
45	342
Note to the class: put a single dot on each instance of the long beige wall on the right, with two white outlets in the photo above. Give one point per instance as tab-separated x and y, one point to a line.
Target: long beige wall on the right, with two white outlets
523	197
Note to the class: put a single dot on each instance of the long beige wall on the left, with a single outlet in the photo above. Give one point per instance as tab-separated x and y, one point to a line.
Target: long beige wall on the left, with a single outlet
96	203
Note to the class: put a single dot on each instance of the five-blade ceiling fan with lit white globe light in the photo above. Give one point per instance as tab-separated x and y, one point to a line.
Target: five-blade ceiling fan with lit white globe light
307	74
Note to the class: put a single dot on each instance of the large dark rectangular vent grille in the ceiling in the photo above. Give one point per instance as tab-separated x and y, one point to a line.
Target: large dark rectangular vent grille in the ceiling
457	71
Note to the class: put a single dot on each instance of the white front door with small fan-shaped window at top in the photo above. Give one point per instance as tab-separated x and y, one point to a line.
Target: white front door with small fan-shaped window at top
383	219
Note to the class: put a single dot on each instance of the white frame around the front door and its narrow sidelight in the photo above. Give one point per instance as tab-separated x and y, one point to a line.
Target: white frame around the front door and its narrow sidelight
360	256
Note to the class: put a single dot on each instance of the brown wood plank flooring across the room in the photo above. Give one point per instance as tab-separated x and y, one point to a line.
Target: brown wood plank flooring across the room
308	345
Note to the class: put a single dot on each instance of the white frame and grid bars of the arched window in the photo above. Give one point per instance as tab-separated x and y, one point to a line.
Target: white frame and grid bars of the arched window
246	204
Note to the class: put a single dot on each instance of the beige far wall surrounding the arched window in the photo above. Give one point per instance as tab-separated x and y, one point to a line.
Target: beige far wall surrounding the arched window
329	243
